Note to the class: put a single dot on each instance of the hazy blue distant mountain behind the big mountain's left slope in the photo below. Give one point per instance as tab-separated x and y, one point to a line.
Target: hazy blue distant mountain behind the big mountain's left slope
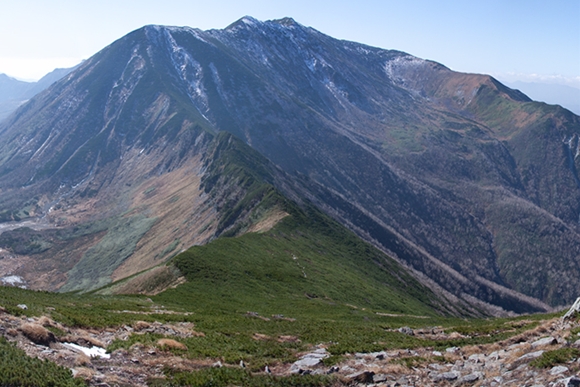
13	92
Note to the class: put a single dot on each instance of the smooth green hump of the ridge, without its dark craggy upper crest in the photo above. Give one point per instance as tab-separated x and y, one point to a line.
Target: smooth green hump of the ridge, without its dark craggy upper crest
293	263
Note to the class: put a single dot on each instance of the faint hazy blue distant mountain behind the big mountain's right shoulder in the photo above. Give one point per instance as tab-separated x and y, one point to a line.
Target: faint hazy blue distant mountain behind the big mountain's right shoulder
566	96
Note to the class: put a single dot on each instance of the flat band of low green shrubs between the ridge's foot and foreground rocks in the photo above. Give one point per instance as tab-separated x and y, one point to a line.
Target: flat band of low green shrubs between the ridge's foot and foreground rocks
229	331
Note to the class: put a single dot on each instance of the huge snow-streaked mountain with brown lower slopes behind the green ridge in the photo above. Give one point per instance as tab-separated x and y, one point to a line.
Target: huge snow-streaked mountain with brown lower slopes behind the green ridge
469	184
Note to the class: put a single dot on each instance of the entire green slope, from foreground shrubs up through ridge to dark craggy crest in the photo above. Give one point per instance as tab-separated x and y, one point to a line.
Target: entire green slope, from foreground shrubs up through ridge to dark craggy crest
307	278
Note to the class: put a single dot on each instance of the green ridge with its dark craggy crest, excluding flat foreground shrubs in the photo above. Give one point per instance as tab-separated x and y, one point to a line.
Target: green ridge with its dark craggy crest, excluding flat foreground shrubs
306	256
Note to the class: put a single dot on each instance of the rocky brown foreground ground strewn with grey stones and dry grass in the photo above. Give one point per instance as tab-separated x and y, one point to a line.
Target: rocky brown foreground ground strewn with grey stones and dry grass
506	363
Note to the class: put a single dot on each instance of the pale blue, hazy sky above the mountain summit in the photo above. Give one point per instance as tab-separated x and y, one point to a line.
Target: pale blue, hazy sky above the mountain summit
525	40
